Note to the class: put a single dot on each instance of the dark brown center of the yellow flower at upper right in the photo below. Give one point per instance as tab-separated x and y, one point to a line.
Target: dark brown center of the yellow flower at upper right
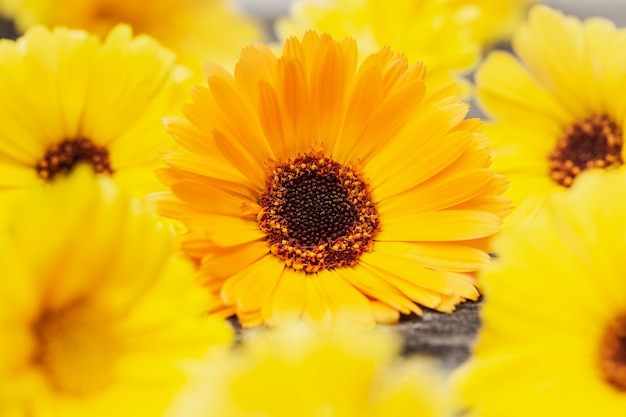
594	142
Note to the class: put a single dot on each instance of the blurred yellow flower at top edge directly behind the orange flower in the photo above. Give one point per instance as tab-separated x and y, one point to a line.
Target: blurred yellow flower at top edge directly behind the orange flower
425	30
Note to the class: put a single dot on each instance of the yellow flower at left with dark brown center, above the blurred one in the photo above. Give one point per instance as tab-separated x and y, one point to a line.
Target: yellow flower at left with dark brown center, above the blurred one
65	98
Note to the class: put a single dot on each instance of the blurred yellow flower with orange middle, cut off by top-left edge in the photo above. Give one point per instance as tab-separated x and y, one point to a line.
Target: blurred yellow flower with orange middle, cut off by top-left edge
196	30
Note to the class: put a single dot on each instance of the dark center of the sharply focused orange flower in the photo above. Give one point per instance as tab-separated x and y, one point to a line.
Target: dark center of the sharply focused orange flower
317	213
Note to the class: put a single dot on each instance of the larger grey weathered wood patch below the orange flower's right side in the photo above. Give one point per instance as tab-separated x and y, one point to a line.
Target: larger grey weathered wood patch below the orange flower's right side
448	337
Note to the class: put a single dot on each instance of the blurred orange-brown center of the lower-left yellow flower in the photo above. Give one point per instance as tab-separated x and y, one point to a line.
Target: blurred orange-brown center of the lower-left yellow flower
75	350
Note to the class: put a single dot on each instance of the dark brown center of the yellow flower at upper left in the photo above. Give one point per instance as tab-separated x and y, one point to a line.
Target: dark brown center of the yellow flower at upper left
62	157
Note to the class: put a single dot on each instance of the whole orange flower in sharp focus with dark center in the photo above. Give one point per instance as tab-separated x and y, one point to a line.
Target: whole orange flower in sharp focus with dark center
311	186
